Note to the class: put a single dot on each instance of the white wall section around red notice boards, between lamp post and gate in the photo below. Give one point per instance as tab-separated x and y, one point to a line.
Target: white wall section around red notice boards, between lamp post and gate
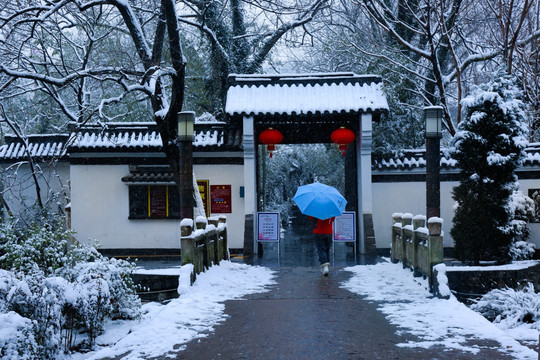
228	175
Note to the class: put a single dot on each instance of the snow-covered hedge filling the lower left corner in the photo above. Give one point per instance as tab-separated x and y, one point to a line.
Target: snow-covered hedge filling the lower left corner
55	295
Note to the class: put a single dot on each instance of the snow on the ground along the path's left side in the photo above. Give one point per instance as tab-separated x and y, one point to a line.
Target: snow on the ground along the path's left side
198	309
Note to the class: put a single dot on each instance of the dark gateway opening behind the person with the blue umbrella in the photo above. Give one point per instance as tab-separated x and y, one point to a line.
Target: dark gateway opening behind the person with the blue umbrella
278	178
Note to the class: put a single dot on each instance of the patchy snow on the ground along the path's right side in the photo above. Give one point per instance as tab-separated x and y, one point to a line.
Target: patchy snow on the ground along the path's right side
406	303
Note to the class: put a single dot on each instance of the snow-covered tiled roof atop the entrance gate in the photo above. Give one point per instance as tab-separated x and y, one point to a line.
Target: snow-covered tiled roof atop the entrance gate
304	94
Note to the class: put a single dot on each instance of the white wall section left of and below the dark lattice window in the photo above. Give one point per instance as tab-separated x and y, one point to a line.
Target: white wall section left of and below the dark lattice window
100	210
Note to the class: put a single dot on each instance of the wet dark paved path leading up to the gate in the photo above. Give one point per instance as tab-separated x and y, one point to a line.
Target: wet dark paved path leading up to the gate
308	317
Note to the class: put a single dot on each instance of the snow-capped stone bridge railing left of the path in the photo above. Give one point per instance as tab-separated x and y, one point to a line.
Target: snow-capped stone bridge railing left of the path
204	244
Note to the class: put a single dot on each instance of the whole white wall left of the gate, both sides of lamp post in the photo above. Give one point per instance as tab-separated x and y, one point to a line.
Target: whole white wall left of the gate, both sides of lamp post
100	208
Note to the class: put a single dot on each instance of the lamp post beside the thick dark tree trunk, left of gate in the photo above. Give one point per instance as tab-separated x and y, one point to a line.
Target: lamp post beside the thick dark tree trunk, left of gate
185	137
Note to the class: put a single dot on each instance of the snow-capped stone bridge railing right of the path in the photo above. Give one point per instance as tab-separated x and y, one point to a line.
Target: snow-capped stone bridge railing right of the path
418	247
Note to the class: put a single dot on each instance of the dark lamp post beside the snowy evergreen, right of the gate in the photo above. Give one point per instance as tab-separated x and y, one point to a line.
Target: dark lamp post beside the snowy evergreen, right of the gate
433	123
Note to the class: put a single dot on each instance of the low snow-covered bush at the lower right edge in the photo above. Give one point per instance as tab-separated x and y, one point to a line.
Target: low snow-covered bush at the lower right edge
510	307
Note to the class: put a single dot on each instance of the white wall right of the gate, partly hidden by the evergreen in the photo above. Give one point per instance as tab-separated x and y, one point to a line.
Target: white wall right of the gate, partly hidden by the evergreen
410	197
